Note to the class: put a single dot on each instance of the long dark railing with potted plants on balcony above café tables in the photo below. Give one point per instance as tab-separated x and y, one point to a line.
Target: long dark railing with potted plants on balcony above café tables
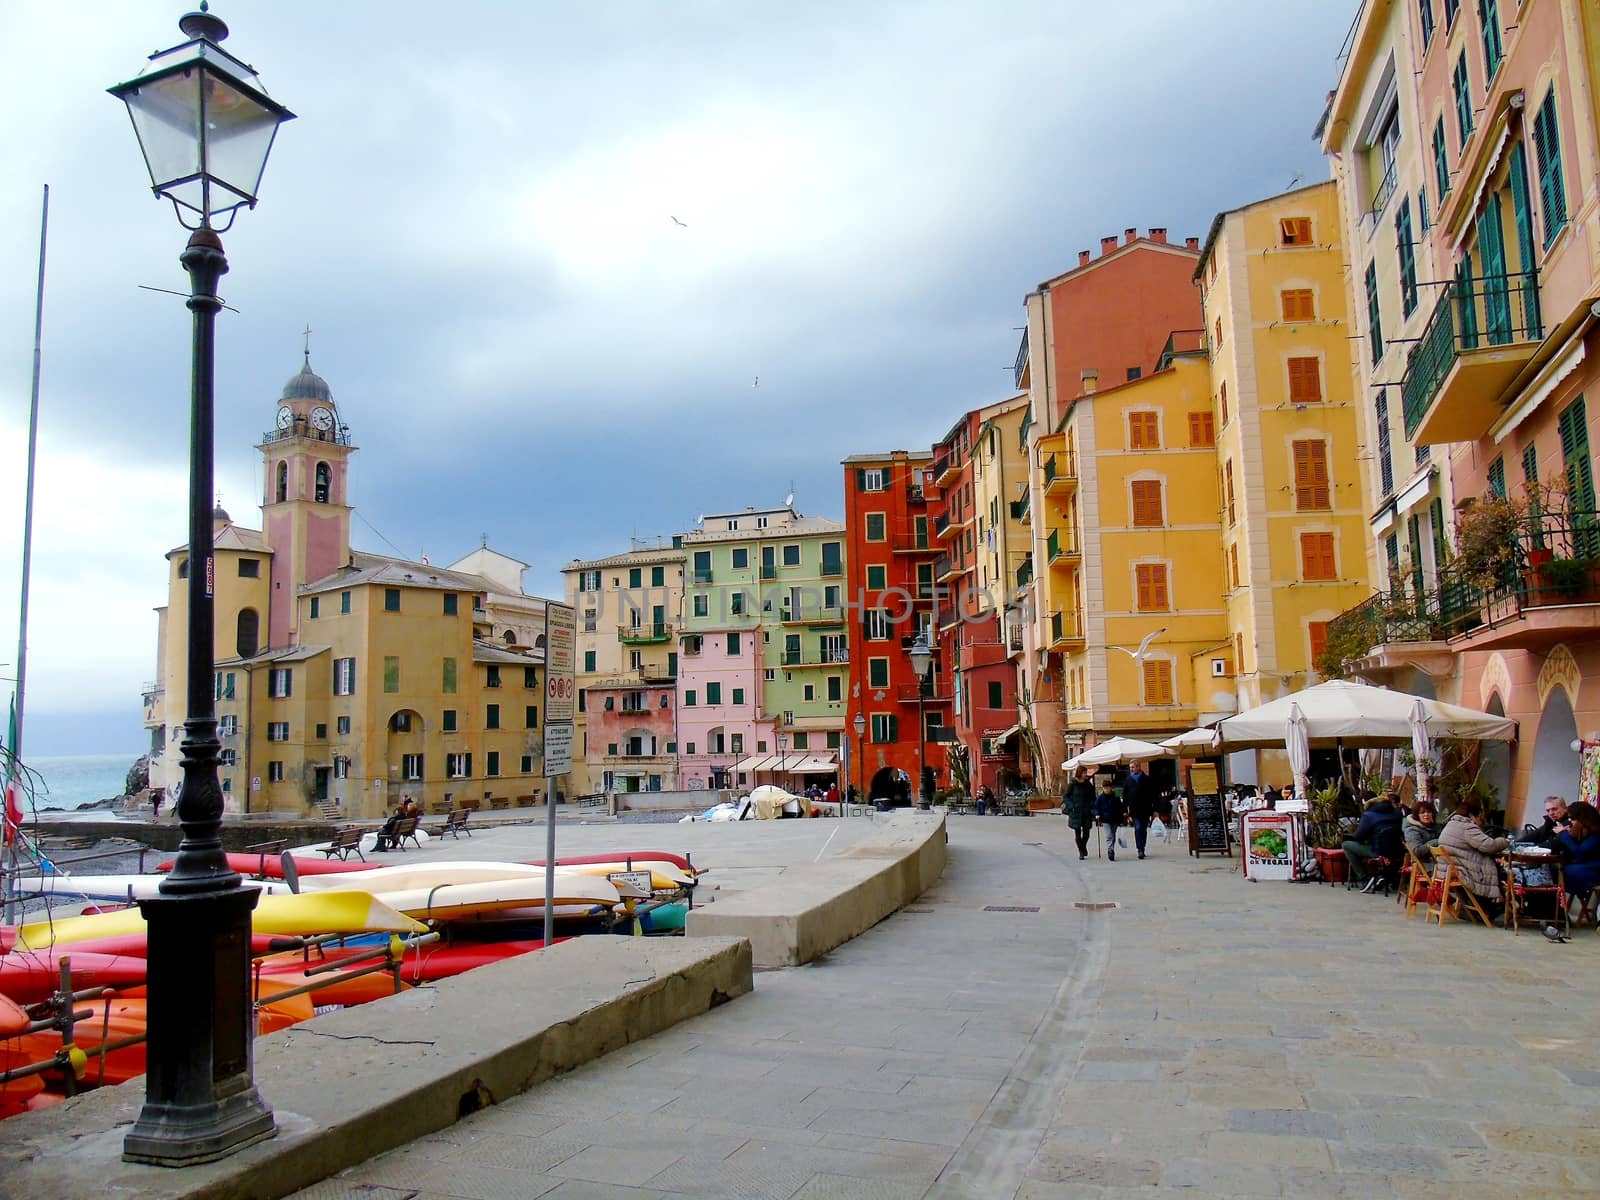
1554	562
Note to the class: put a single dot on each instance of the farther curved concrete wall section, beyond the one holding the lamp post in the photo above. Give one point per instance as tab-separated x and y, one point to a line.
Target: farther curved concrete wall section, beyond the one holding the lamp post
818	906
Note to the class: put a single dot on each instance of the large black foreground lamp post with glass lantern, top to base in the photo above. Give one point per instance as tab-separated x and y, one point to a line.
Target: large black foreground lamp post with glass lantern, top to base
206	129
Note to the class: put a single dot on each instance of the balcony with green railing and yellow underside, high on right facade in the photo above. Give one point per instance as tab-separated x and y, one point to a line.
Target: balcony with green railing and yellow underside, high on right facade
1481	335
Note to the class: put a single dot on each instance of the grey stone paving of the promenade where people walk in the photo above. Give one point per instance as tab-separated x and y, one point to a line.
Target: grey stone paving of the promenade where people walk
1206	1038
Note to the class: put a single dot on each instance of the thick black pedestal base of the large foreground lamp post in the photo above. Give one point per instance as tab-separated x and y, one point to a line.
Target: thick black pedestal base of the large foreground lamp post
201	1102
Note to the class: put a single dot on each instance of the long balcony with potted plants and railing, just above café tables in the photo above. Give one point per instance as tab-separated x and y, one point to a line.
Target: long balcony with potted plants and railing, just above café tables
1546	591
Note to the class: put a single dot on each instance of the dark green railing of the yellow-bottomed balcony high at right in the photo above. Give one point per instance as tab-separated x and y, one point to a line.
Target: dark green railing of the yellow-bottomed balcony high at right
1470	316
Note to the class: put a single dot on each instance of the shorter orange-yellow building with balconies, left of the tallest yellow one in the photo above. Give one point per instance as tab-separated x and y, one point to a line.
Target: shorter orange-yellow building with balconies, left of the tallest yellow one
1132	574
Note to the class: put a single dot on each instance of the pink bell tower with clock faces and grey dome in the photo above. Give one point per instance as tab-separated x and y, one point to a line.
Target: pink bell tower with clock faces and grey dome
305	505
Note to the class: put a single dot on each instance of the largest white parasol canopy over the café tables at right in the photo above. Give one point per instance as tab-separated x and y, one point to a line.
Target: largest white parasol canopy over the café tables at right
1358	714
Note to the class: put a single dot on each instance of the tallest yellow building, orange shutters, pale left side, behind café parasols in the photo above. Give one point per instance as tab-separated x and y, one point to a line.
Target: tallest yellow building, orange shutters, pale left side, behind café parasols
1290	454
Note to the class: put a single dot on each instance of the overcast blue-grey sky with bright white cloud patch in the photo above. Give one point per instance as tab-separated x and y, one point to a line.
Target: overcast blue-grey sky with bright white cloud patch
474	215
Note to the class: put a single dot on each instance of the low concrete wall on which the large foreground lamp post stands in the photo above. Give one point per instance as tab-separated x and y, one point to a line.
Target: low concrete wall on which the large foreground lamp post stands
354	1084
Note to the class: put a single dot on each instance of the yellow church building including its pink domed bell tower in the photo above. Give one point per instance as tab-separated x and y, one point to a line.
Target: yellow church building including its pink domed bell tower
346	678
